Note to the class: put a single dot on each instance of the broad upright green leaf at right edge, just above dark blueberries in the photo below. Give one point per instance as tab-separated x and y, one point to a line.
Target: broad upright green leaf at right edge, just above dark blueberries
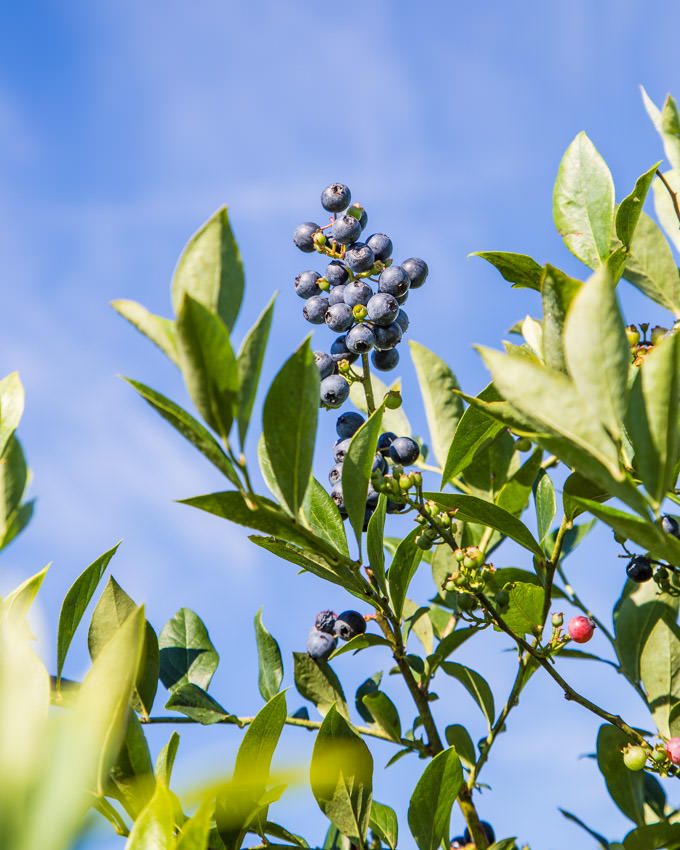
653	418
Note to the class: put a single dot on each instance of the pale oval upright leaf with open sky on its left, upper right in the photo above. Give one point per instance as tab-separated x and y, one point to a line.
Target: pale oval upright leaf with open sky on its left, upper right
583	202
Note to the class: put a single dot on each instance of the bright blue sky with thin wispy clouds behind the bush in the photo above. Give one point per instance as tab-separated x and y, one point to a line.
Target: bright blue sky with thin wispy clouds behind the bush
123	126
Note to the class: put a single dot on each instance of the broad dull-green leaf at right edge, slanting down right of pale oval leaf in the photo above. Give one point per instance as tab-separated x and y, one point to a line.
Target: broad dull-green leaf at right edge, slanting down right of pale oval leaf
651	267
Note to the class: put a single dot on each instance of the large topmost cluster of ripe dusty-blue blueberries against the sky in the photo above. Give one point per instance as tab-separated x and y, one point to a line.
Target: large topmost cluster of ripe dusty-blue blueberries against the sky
367	320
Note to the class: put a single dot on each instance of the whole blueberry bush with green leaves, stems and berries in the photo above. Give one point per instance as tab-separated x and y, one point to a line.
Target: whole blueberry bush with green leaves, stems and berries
586	404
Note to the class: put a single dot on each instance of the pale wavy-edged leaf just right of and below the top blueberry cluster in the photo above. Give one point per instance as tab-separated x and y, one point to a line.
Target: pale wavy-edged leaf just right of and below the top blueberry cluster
443	407
